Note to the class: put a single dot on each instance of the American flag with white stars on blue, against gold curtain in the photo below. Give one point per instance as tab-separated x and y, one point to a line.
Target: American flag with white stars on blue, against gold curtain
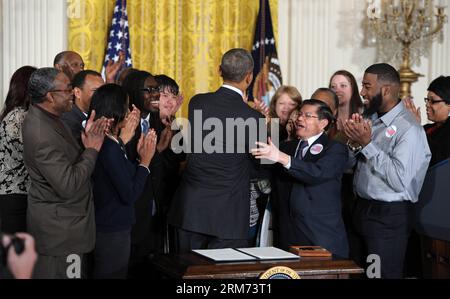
119	37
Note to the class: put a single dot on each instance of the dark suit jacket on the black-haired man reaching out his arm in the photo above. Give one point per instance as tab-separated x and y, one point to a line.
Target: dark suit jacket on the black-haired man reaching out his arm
308	198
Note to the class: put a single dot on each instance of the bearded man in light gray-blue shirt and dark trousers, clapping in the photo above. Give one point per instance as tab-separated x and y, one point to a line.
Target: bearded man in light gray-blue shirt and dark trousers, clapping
392	156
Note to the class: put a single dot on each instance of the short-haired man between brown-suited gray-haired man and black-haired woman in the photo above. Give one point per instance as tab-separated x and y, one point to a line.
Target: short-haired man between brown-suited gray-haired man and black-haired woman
84	84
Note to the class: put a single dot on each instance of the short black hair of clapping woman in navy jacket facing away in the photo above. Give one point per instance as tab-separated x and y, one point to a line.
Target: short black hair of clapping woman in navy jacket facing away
110	101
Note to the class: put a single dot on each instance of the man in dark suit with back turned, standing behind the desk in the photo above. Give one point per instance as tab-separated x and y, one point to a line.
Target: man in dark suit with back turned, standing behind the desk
211	207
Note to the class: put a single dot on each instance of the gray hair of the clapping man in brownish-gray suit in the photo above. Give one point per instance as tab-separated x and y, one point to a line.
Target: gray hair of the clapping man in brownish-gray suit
41	82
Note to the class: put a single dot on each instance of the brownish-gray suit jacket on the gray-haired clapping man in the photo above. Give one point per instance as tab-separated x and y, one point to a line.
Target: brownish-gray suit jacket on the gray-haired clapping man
60	213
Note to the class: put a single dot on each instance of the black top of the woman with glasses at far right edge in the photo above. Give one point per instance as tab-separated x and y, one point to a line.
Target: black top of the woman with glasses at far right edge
439	141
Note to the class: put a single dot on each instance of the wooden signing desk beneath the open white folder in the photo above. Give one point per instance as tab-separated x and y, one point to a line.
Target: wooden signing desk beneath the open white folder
193	266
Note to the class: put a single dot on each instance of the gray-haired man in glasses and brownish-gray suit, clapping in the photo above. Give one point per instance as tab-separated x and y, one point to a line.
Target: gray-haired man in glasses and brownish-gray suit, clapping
60	213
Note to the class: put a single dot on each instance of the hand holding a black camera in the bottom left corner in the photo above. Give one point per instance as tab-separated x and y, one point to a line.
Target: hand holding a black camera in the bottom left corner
17	253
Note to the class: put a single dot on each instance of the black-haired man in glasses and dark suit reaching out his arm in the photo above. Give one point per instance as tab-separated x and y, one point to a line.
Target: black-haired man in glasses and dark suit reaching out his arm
308	182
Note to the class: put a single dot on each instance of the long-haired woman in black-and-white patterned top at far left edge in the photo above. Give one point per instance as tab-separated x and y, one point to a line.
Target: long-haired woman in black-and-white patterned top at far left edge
14	179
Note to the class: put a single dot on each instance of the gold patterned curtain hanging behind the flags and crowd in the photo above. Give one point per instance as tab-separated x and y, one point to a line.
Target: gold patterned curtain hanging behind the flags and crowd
184	39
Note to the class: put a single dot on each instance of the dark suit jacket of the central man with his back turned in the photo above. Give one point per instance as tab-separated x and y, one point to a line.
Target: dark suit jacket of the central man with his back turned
214	194
